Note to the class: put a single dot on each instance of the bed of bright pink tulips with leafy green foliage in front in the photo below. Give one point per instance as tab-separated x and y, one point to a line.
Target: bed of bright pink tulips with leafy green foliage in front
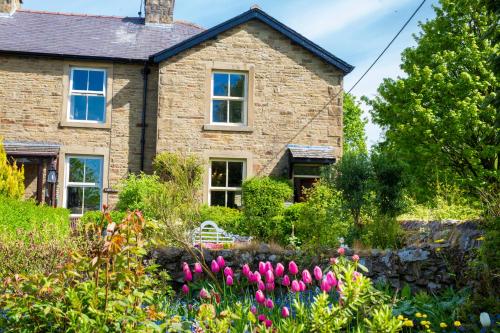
283	298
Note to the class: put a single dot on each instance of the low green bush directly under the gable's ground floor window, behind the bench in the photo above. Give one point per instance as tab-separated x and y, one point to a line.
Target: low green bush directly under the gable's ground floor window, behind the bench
229	219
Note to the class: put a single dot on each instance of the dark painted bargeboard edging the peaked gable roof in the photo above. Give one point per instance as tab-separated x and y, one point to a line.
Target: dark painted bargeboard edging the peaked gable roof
254	14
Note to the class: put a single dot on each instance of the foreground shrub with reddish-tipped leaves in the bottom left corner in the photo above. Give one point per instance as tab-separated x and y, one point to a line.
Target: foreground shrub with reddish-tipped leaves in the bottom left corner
109	291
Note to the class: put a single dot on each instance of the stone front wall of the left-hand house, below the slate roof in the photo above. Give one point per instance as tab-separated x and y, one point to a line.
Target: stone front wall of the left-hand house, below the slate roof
32	94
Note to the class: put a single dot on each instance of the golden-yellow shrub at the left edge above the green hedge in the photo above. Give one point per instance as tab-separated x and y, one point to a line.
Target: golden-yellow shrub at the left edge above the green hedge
11	177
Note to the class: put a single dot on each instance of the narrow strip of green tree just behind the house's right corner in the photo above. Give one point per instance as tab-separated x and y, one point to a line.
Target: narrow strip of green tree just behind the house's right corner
354	126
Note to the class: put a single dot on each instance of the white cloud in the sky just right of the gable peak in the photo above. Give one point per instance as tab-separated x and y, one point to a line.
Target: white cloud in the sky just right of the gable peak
335	15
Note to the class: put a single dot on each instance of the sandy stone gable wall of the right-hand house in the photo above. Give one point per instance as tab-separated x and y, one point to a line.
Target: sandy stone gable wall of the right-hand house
289	90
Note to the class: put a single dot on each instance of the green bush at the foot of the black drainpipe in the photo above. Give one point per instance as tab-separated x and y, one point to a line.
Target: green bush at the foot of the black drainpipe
134	192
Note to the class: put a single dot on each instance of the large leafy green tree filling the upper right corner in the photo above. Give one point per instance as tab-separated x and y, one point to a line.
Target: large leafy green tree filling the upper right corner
441	116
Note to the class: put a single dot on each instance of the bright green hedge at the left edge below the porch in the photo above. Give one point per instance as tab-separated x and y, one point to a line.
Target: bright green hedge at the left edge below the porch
33	239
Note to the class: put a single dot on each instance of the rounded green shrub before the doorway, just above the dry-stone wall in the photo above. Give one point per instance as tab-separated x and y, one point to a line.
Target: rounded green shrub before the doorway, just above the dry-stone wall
322	220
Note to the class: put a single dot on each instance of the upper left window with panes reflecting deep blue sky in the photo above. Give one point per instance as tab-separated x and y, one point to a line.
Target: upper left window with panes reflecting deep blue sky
87	95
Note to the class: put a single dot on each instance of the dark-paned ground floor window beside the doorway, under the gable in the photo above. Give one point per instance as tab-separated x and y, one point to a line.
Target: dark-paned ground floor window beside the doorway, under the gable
226	177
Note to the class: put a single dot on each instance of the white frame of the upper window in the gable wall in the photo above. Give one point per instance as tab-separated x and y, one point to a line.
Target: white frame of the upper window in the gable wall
244	99
